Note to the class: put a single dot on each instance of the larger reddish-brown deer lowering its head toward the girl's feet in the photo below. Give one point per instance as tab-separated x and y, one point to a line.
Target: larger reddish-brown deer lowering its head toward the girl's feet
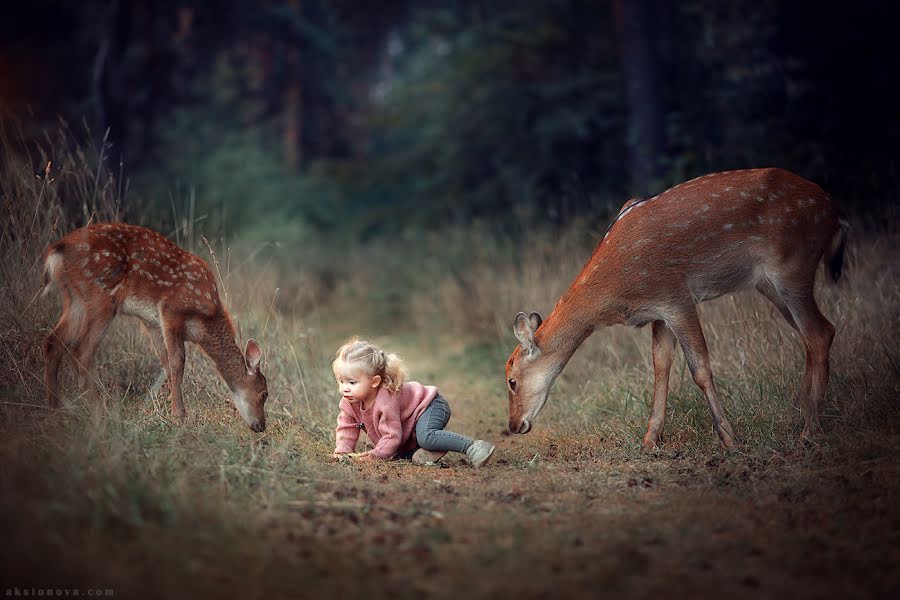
763	229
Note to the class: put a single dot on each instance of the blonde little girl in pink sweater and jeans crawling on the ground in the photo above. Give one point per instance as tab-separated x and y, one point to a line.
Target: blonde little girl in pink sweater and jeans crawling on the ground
403	419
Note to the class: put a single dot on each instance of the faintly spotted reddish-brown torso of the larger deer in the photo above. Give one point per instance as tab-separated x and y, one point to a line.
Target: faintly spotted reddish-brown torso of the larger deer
718	233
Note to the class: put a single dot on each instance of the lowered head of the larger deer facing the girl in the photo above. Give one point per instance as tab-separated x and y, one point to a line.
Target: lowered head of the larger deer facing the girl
528	376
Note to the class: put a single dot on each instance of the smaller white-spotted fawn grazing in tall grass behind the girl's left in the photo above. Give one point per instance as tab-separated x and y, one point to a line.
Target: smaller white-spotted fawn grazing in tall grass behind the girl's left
112	268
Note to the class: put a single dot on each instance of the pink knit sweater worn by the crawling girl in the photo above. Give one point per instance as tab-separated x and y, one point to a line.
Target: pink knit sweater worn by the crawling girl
390	422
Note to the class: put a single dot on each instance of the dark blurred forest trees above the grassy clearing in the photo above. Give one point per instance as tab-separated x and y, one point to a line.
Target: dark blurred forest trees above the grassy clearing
315	117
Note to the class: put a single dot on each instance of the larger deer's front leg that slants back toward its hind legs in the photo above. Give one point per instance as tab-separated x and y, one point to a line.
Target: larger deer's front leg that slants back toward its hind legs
686	327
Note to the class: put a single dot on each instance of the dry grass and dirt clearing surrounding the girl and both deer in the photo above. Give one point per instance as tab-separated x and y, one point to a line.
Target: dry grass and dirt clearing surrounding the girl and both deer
121	498
